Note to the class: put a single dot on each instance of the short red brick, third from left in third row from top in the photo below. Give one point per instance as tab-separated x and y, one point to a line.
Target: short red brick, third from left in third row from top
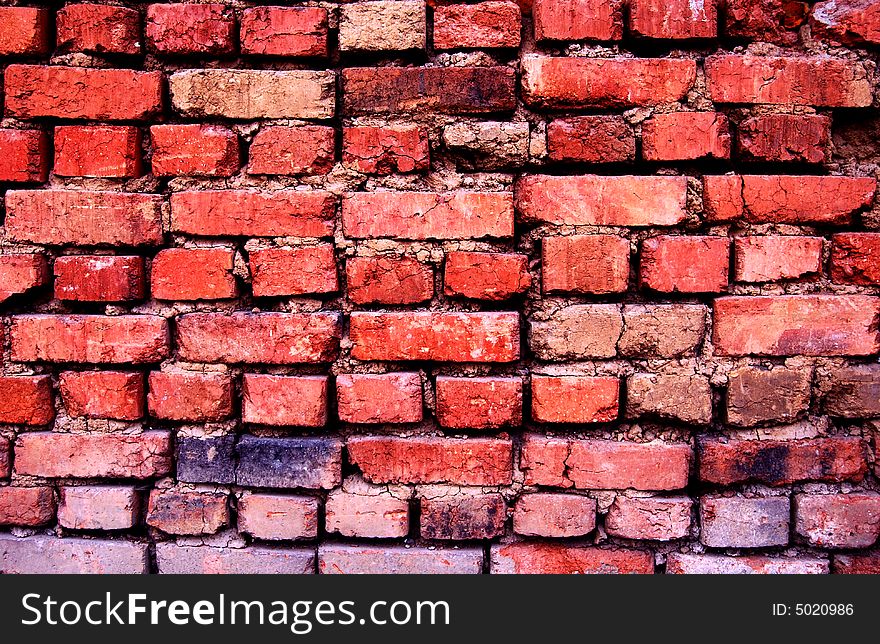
194	150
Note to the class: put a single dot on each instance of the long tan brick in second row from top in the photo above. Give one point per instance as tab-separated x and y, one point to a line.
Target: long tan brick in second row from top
249	94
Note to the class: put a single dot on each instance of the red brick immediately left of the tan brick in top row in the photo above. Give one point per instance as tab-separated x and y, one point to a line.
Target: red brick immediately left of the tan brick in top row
284	31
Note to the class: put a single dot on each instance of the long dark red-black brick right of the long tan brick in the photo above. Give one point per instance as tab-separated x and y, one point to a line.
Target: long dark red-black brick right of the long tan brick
447	90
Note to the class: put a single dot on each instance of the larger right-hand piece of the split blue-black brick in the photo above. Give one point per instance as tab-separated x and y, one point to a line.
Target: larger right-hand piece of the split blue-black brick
289	462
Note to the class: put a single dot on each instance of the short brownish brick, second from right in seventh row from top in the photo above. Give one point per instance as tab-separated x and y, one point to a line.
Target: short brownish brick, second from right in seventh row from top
757	395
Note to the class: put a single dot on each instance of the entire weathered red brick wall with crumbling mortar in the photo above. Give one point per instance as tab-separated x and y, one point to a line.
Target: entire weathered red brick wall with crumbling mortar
577	286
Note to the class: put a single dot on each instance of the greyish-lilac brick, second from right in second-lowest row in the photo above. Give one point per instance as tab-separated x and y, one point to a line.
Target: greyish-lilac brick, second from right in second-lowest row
737	522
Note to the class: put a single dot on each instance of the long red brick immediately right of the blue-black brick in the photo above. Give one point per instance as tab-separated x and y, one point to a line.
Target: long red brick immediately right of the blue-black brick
428	459
